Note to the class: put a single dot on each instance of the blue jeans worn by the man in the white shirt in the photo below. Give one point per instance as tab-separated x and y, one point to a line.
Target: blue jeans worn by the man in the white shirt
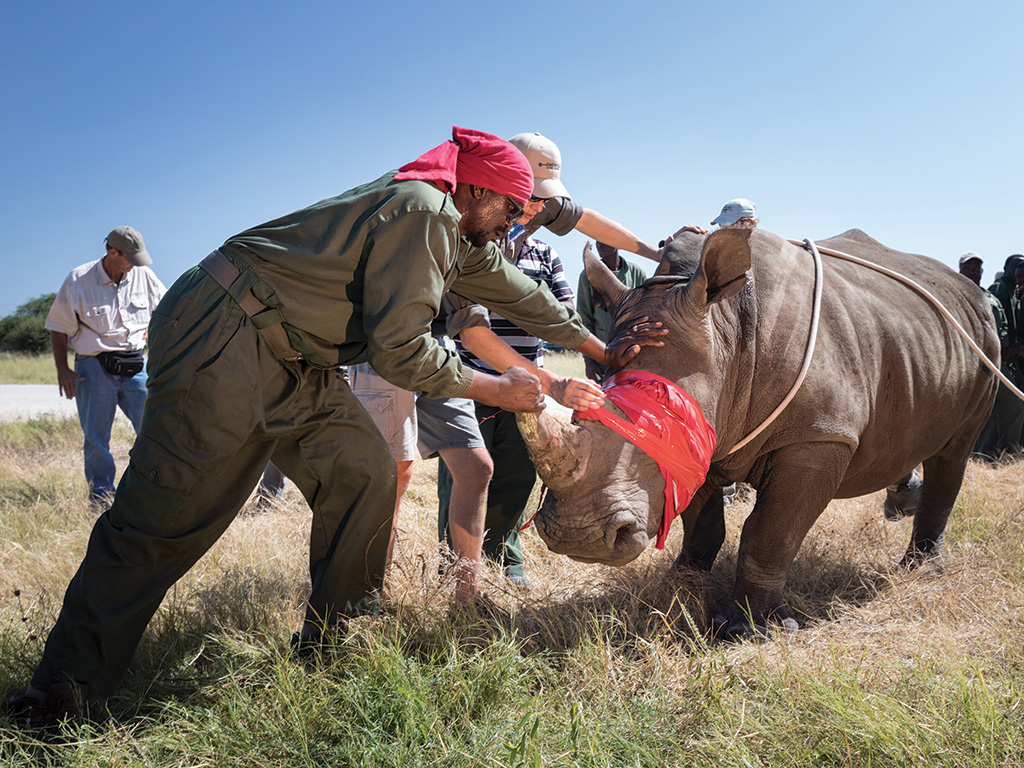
99	396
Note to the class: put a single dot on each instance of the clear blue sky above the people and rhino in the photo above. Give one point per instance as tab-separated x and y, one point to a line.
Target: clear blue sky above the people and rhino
194	121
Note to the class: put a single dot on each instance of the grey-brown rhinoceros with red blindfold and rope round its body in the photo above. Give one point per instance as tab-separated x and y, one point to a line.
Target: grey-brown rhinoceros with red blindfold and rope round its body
891	385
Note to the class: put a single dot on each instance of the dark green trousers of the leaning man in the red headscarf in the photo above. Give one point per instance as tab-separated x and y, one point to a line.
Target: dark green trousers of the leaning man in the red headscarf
220	407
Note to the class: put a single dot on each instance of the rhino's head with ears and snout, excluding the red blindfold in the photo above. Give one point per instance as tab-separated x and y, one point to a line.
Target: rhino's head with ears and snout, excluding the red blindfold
609	496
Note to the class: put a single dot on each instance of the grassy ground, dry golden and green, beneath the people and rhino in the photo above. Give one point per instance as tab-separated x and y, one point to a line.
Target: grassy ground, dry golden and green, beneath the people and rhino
594	667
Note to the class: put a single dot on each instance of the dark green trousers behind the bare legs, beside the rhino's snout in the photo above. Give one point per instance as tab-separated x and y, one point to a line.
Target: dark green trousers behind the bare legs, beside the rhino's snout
508	493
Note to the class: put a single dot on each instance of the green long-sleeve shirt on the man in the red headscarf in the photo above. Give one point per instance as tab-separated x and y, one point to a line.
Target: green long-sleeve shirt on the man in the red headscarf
360	277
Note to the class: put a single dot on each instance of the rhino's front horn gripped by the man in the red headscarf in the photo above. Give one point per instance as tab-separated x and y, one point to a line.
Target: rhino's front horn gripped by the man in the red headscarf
560	451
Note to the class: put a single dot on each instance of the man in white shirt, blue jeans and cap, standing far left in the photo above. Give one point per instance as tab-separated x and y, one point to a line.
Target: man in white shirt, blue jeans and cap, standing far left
103	313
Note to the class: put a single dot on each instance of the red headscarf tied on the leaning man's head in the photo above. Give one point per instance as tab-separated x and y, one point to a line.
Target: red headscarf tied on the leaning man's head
475	158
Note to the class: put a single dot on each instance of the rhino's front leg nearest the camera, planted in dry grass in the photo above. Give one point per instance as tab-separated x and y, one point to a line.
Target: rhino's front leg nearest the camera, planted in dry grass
797	484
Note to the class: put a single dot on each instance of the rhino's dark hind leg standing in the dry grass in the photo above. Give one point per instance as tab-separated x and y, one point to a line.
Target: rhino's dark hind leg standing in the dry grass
944	478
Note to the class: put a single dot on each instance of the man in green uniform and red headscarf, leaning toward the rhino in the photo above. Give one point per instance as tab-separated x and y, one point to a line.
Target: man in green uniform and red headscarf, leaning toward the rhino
242	371
